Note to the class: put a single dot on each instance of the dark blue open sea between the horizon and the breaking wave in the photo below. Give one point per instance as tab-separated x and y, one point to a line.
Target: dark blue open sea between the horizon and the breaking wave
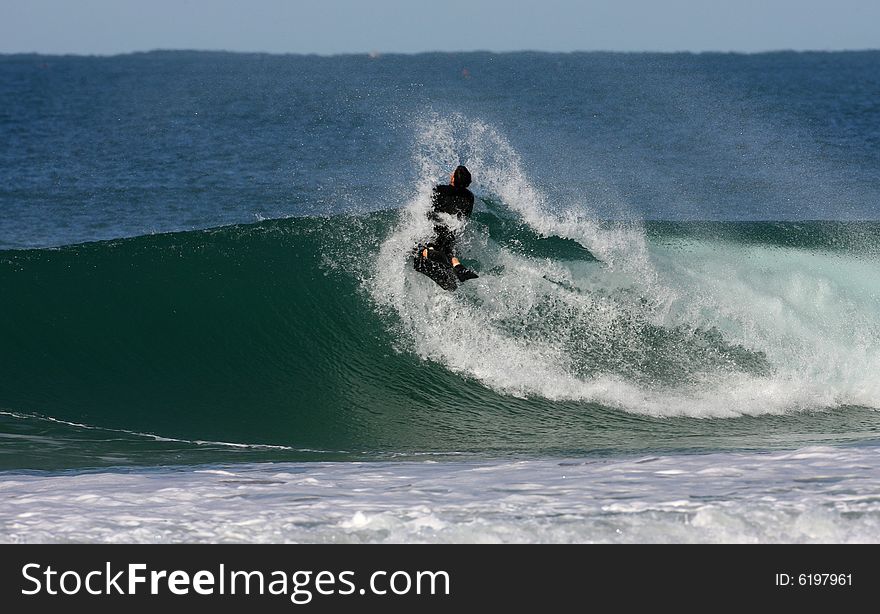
104	147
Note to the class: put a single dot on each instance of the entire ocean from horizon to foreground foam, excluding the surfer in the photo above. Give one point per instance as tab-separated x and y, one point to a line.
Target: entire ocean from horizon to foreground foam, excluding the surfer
210	329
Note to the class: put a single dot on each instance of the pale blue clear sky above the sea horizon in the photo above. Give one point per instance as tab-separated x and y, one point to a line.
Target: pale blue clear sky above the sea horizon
407	26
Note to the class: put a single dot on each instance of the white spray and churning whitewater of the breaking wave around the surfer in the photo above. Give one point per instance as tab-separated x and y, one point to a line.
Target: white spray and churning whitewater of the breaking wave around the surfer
575	330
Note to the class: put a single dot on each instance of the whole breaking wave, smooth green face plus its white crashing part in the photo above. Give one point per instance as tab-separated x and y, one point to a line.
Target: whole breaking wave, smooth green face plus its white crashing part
304	333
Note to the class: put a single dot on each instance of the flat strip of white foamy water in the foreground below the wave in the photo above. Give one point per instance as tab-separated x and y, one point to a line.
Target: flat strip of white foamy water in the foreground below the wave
810	495
